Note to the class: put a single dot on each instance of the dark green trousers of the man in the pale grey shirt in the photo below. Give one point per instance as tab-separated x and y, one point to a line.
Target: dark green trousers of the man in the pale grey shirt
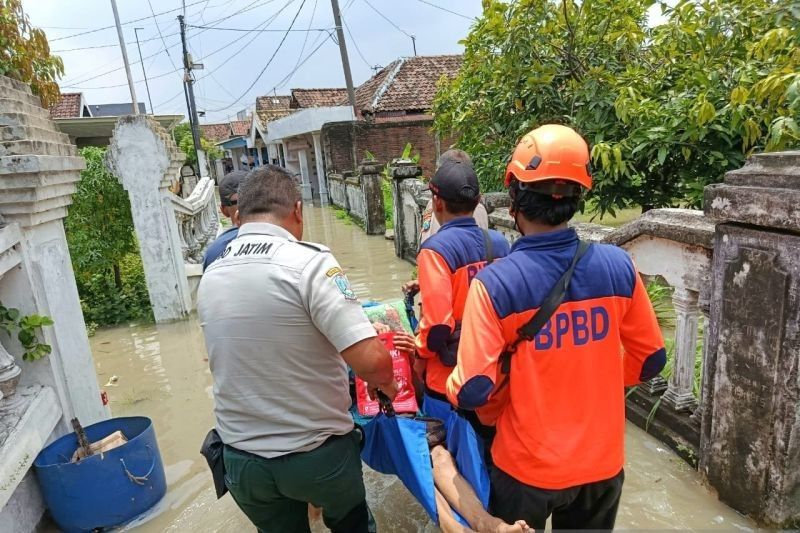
275	493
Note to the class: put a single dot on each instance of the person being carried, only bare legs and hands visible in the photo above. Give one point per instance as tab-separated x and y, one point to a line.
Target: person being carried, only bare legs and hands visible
451	490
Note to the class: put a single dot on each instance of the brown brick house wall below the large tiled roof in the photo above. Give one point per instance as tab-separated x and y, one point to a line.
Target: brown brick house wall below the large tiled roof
342	141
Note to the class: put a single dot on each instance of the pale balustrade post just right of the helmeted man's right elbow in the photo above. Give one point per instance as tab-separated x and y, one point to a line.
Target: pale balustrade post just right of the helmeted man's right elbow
680	391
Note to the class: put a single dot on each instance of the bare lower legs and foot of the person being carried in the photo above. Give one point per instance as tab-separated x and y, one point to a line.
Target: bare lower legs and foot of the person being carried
452	490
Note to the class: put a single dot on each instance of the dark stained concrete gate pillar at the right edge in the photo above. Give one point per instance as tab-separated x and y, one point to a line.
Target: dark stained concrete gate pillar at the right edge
750	440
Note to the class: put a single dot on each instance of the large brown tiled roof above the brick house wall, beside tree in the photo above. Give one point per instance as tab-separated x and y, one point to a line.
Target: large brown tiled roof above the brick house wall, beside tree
408	84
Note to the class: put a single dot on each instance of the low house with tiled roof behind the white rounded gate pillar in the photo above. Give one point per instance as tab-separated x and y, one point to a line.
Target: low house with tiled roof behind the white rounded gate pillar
93	125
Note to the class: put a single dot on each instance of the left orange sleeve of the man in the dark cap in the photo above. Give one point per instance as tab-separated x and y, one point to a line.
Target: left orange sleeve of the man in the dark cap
436	298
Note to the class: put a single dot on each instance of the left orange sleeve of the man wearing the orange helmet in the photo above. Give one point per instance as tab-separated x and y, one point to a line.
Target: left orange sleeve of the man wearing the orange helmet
476	372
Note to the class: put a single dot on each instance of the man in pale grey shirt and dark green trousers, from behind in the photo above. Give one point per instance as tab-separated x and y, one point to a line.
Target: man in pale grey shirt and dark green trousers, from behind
281	324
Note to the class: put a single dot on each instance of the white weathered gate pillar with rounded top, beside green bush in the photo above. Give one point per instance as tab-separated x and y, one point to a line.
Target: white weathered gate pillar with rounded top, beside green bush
146	160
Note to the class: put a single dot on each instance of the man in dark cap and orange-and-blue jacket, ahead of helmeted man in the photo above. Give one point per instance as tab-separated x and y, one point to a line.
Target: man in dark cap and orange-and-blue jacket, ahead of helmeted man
448	262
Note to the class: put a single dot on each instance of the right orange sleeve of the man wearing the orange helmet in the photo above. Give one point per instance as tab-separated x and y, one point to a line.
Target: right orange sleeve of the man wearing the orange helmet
641	337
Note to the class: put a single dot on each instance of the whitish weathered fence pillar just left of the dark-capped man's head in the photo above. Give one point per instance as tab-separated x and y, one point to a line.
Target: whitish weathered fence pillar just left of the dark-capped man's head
405	189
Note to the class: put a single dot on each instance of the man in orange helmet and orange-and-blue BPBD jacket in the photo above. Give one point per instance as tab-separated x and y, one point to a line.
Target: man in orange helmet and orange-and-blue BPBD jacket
559	447
